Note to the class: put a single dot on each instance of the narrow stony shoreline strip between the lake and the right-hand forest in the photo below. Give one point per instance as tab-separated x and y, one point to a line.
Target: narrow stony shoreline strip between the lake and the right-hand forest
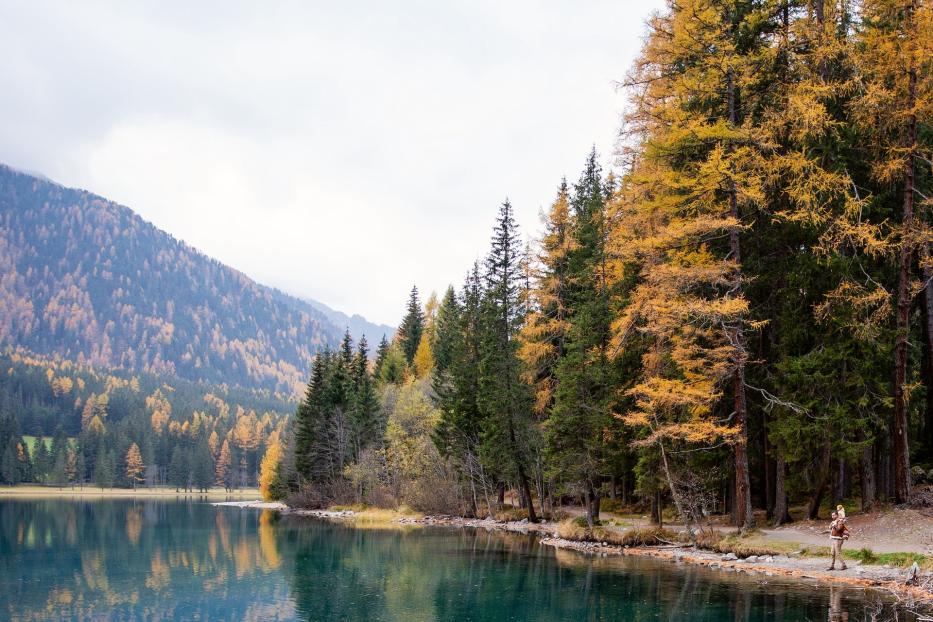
870	577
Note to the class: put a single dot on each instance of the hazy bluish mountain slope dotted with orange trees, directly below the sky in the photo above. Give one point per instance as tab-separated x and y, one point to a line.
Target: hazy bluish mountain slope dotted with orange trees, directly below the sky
89	280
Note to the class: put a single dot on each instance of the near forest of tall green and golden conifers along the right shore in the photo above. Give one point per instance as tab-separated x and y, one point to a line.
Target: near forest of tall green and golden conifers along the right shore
741	320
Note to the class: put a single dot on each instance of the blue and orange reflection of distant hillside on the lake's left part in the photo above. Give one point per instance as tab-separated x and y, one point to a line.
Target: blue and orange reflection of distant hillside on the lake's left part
150	559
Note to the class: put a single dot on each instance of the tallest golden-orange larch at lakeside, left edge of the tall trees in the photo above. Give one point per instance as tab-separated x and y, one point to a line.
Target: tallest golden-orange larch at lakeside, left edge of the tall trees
694	184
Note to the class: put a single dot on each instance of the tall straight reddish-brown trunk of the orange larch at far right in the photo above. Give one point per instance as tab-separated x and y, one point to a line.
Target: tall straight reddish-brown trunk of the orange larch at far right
901	451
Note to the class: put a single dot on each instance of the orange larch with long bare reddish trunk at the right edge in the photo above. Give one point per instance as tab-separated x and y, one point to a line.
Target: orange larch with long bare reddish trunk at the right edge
893	110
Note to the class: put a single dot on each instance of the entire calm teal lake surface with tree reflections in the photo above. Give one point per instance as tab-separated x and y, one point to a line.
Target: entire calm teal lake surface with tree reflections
155	559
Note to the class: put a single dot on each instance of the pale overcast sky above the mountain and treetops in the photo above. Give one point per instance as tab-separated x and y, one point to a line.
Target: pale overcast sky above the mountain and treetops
337	150
